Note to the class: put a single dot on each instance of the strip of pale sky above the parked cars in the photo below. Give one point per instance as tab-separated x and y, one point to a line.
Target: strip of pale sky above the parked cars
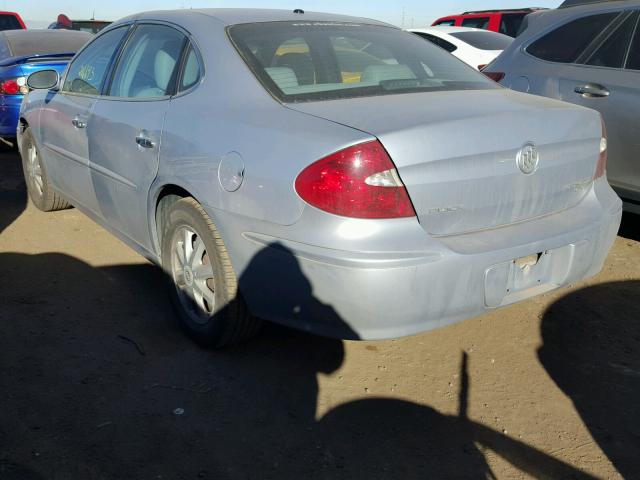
39	13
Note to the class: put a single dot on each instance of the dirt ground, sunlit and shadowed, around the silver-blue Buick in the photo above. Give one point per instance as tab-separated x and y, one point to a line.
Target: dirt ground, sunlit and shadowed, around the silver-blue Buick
98	382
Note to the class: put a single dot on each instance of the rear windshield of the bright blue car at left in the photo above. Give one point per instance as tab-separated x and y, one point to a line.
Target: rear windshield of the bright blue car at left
38	42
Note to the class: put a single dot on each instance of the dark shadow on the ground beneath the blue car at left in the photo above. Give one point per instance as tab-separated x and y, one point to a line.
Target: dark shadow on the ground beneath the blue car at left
13	191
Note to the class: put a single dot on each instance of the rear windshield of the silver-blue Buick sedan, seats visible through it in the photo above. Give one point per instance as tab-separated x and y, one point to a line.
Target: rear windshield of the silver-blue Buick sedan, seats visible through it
307	61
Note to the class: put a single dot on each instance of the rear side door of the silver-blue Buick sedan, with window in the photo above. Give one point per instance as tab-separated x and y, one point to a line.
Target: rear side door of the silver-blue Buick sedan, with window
126	138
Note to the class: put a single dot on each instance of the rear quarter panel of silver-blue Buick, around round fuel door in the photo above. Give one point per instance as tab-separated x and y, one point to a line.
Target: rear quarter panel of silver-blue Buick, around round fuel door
230	115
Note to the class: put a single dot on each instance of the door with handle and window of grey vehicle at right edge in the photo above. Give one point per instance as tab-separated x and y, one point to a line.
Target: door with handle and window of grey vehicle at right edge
599	80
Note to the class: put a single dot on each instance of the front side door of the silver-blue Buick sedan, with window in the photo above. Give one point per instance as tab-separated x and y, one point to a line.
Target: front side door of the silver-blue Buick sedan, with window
66	118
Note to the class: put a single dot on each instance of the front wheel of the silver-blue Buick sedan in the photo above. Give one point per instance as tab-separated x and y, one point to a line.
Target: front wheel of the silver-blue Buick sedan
40	191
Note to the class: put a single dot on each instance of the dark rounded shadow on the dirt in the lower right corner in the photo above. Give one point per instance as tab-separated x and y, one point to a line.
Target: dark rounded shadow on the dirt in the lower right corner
592	351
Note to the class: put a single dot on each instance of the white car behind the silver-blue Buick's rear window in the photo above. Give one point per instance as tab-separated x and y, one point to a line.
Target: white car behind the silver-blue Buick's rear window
471	45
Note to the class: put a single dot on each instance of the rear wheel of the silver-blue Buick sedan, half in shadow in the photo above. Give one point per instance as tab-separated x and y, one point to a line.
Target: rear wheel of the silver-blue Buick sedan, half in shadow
202	284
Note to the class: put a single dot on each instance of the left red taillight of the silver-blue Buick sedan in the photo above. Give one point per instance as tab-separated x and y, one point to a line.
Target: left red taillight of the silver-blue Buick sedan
359	182
